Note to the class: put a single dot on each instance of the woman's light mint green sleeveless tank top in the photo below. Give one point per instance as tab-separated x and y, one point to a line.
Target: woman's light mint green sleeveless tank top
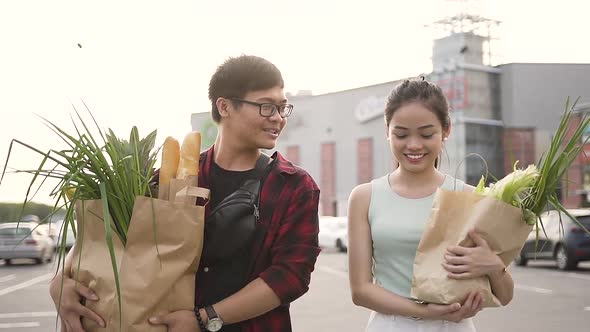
397	224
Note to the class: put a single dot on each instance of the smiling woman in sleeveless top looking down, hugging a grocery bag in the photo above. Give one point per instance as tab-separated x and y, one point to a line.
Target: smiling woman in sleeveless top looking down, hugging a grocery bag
387	217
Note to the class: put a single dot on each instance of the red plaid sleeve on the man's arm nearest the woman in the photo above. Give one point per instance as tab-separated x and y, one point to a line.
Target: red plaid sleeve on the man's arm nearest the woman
296	248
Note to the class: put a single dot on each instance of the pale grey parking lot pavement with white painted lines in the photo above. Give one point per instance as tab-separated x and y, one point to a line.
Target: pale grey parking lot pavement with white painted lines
546	299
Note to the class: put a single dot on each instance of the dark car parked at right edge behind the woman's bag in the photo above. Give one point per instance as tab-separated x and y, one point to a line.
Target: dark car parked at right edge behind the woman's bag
567	246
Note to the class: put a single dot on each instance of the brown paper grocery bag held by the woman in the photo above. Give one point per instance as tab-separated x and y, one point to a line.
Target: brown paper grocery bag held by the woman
453	214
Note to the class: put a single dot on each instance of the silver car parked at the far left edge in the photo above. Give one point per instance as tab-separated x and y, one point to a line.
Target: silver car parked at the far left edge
25	240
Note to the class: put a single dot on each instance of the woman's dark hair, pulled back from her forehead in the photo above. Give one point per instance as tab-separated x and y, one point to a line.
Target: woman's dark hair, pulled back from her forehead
426	93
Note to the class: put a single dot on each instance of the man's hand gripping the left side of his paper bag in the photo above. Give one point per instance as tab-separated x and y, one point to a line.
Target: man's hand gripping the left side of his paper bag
71	309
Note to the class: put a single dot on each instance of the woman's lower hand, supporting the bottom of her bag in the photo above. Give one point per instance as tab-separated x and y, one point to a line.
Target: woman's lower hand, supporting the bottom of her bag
456	312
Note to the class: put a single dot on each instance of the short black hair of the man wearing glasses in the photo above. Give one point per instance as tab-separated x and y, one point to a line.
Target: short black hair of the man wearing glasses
239	75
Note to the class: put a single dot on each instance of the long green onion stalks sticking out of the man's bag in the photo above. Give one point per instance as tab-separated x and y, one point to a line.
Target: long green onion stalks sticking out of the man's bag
94	166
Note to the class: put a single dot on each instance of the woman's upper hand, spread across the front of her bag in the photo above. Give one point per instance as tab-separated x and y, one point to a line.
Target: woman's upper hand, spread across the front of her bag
468	263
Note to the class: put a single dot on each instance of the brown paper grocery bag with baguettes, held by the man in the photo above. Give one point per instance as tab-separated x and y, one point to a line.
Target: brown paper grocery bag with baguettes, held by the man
154	279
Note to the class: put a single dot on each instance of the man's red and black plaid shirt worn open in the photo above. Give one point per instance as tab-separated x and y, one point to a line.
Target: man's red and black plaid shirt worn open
289	209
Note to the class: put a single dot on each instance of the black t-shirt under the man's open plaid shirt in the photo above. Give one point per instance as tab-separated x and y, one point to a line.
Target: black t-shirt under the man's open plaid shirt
224	278
